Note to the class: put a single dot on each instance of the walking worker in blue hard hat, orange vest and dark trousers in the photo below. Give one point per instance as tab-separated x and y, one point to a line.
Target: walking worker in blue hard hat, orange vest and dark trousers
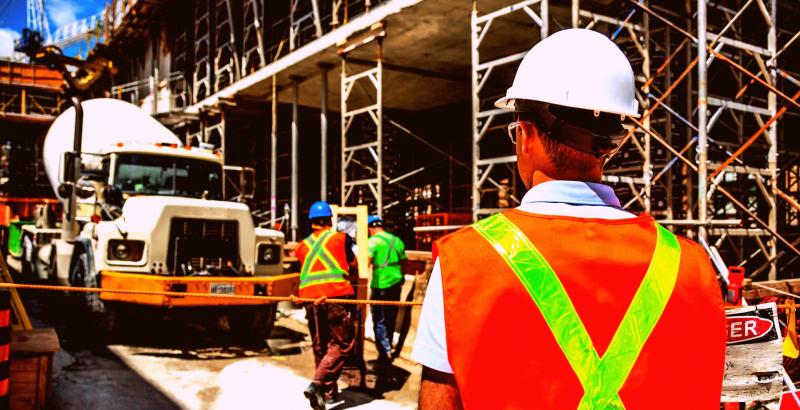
325	257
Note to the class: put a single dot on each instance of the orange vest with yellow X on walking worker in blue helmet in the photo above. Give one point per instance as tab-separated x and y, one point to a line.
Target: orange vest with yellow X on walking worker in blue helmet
324	267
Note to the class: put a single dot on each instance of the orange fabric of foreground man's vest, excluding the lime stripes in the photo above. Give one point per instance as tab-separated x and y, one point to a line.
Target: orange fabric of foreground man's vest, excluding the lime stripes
505	355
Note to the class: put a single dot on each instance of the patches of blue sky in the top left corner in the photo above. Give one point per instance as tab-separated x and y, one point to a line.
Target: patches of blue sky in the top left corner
59	12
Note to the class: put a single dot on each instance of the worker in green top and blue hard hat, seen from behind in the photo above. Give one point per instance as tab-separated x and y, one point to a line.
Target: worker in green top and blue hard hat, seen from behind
387	255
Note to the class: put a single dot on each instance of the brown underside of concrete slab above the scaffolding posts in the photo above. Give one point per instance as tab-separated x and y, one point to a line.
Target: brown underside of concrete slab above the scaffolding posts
426	59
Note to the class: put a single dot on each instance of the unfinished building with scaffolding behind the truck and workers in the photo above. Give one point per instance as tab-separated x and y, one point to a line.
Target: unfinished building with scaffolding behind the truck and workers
390	103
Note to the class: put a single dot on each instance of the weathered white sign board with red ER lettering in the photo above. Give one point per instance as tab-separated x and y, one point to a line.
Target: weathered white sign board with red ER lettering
754	356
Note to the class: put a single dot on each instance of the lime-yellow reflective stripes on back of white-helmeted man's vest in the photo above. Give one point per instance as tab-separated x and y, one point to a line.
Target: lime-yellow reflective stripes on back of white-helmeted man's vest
601	377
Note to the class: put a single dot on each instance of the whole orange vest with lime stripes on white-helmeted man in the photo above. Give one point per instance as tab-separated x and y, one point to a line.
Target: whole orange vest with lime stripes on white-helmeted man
533	303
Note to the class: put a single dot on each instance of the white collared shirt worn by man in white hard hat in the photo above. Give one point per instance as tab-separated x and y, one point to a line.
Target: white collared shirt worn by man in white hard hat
563	198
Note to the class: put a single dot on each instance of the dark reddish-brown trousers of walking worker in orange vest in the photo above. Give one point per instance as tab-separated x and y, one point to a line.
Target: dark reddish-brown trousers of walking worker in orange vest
332	337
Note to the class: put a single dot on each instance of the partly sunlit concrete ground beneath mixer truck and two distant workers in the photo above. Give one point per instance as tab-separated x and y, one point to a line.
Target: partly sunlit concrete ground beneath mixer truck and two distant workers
167	364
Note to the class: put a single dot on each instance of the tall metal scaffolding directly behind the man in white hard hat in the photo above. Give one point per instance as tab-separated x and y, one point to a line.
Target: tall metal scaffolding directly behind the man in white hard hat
729	192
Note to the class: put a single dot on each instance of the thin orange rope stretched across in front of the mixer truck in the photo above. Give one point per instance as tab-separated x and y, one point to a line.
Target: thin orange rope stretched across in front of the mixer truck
291	298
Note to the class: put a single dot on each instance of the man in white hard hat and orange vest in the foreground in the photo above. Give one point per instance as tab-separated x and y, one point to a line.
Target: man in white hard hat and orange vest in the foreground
569	301
